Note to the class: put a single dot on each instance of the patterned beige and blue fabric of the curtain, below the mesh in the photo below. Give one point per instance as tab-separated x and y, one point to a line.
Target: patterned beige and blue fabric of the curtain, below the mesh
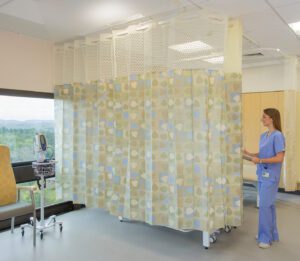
163	148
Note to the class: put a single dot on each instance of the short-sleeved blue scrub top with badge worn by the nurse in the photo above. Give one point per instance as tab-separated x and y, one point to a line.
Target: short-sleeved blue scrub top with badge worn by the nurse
269	146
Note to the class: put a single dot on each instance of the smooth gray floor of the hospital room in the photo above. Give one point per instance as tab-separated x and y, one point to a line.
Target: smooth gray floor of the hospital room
92	234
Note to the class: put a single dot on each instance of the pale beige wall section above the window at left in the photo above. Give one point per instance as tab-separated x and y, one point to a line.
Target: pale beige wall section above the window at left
25	63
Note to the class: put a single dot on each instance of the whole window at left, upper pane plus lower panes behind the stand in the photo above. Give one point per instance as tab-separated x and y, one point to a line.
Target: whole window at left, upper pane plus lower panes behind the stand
20	119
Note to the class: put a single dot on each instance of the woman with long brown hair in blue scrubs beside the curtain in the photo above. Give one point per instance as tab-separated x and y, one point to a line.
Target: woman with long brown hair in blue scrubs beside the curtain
269	161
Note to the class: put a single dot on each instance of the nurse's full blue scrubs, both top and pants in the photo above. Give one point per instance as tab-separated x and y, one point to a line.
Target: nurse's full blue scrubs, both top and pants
268	181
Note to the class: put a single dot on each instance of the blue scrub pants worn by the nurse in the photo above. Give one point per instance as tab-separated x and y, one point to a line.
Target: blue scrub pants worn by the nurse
267	227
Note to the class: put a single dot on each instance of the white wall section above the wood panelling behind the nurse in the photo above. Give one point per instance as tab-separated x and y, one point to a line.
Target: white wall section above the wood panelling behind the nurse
263	78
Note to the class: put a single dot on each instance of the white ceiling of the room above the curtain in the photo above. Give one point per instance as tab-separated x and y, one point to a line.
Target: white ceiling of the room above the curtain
267	35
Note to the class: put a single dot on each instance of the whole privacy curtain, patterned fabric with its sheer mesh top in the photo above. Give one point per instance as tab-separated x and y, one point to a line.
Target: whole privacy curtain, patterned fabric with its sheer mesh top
150	131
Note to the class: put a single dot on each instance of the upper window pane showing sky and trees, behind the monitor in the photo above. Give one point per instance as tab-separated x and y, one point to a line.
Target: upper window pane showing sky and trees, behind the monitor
20	119
